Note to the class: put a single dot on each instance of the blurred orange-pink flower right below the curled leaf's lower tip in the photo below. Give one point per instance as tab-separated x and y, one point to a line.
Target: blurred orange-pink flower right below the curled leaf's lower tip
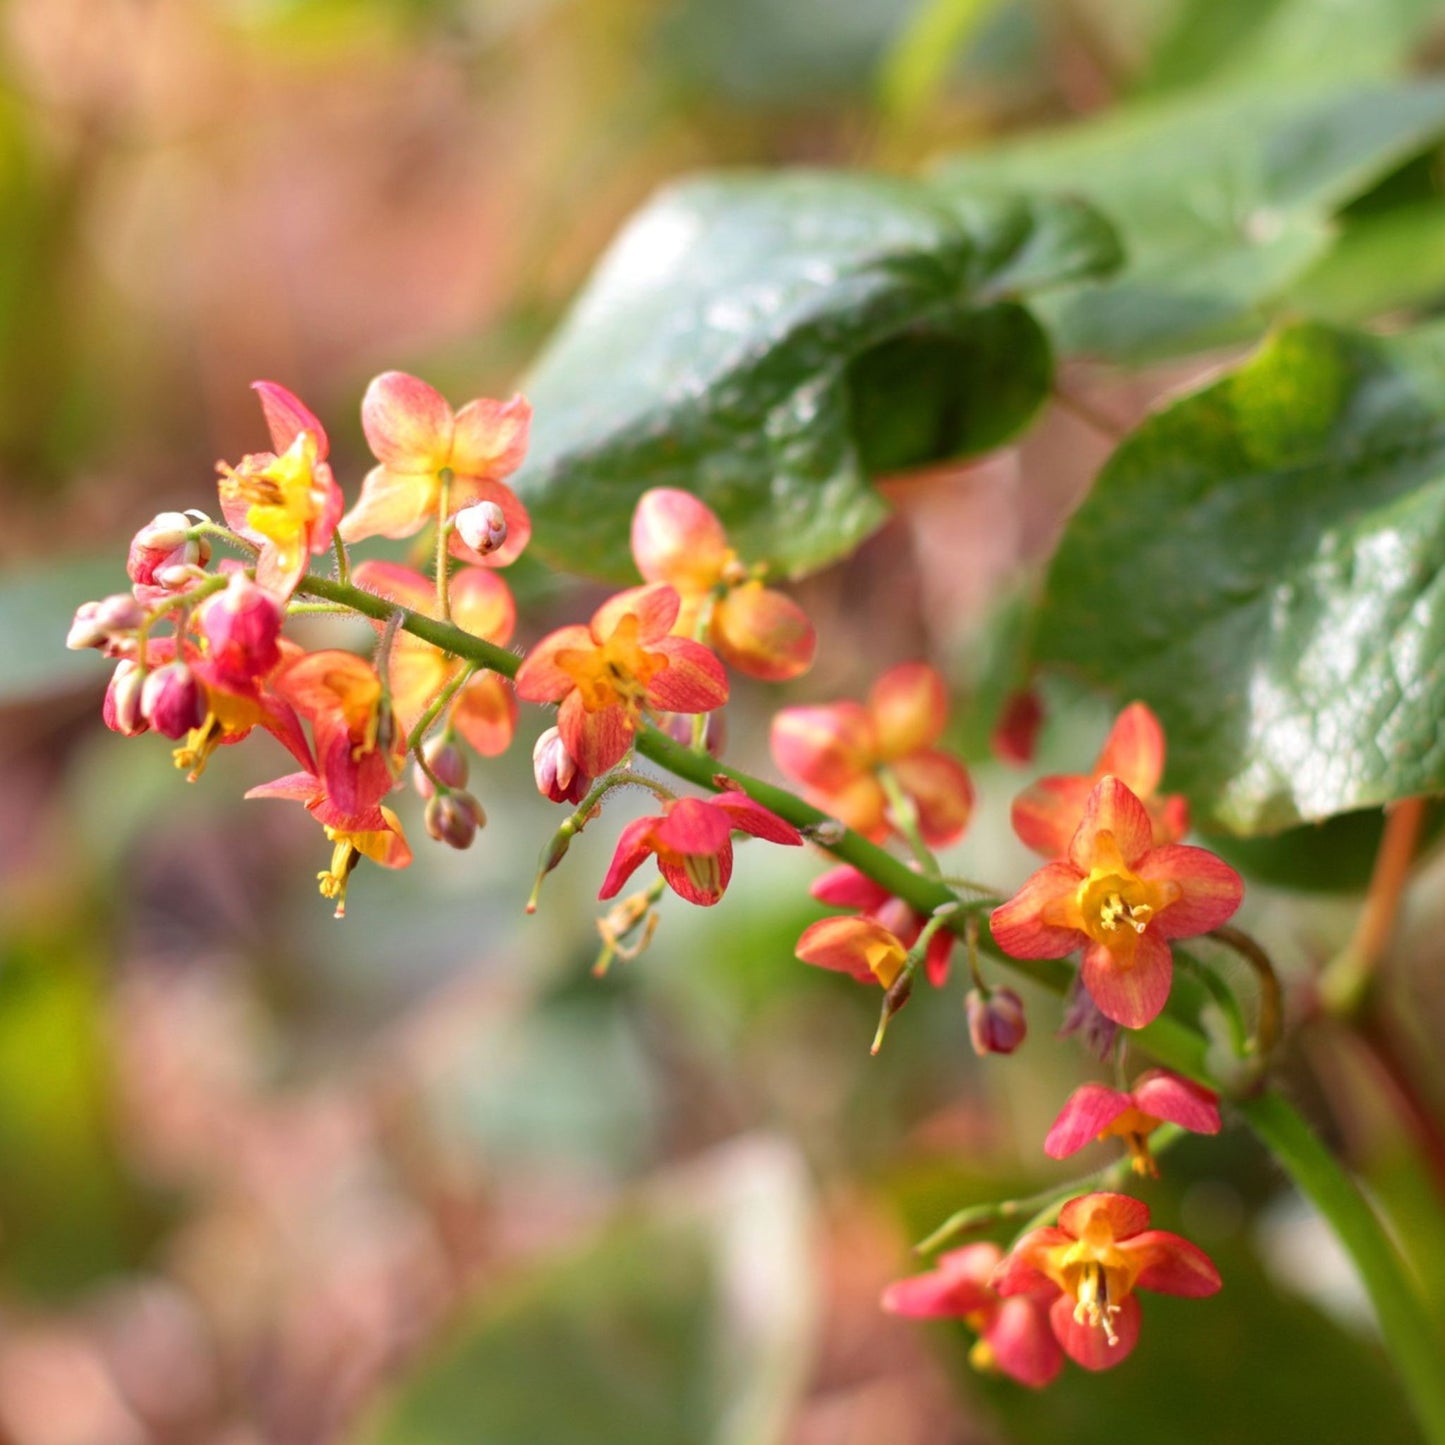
680	541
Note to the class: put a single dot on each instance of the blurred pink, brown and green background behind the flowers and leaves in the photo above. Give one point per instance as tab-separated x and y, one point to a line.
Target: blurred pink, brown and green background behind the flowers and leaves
418	1178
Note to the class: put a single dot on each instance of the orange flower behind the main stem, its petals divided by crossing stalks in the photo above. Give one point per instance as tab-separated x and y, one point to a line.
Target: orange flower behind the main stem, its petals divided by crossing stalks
485	710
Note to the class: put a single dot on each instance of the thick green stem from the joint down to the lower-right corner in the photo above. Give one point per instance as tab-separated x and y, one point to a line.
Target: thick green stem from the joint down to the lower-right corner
1411	1336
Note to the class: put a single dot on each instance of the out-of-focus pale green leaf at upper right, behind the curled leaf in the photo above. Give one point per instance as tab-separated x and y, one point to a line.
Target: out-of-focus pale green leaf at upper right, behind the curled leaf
1222	203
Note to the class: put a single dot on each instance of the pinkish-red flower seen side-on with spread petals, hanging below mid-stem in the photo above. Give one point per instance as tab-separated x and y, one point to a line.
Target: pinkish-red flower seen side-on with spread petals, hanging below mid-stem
693	842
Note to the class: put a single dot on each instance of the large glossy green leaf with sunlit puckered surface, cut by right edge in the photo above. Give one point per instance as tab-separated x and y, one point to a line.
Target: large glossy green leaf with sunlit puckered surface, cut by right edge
1262	564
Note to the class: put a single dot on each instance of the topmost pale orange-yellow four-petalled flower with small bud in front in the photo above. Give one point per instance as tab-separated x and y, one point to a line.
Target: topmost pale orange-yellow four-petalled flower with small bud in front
421	446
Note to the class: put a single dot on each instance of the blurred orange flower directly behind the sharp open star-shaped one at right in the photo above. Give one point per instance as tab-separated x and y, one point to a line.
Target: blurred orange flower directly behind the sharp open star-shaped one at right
1047	813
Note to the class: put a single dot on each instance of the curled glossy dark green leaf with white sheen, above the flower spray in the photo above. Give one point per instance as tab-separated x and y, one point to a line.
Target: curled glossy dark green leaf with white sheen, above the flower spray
764	340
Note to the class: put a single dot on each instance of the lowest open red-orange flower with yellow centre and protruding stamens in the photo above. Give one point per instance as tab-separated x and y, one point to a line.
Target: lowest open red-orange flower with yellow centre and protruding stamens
1100	1254
